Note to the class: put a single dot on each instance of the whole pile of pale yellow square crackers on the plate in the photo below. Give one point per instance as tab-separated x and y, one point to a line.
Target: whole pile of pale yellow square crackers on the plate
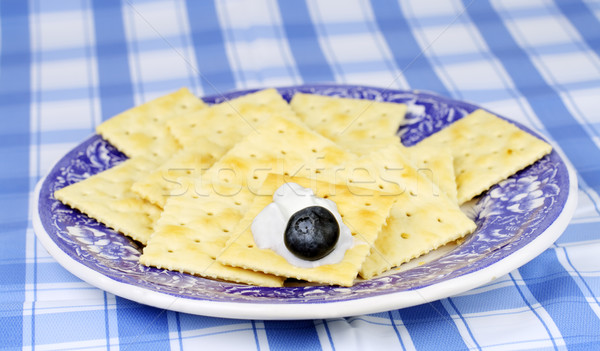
198	175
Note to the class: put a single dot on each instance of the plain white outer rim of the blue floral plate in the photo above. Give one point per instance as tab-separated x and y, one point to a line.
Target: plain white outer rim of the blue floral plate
319	309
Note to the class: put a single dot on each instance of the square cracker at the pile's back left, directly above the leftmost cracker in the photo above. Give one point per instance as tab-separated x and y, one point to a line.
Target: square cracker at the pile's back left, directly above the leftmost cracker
141	130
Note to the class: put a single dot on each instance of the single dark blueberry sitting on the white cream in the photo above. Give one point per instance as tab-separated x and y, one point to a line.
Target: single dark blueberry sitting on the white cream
311	233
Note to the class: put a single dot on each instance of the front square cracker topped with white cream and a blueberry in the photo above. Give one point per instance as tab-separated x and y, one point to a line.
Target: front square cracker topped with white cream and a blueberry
364	215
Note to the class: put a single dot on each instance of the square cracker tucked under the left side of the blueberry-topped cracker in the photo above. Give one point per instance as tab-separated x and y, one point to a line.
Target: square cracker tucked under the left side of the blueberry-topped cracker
194	227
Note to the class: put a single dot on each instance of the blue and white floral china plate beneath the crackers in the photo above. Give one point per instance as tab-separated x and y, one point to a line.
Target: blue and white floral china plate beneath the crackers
516	220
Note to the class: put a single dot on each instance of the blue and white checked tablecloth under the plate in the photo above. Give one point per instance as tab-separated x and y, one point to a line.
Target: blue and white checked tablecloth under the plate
67	66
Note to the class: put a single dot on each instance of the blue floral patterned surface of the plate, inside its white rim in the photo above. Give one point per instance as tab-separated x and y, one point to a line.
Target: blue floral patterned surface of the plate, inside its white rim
509	216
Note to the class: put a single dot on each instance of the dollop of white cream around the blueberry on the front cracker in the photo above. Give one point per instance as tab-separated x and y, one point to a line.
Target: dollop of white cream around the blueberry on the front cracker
268	227
